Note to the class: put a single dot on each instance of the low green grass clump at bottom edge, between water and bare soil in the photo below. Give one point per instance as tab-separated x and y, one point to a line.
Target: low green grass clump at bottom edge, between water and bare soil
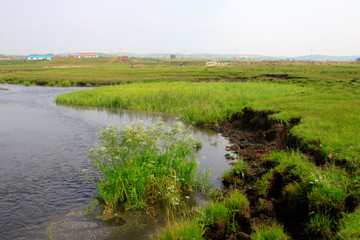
218	219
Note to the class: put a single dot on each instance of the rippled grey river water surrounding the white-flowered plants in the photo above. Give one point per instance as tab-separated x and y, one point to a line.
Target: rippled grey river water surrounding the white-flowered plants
43	148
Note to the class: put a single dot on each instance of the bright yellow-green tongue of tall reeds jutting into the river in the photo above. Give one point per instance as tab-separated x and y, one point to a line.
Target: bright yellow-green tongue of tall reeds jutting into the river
194	102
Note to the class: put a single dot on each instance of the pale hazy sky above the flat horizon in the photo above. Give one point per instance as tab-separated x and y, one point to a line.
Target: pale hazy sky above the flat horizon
266	27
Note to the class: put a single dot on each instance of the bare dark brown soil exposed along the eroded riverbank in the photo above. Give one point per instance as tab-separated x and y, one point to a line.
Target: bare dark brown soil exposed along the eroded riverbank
253	136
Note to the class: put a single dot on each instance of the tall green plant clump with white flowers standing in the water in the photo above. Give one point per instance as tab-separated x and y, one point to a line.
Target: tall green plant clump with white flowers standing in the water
138	165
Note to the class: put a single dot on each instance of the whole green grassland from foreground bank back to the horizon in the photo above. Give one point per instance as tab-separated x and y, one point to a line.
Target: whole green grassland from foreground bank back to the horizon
322	196
